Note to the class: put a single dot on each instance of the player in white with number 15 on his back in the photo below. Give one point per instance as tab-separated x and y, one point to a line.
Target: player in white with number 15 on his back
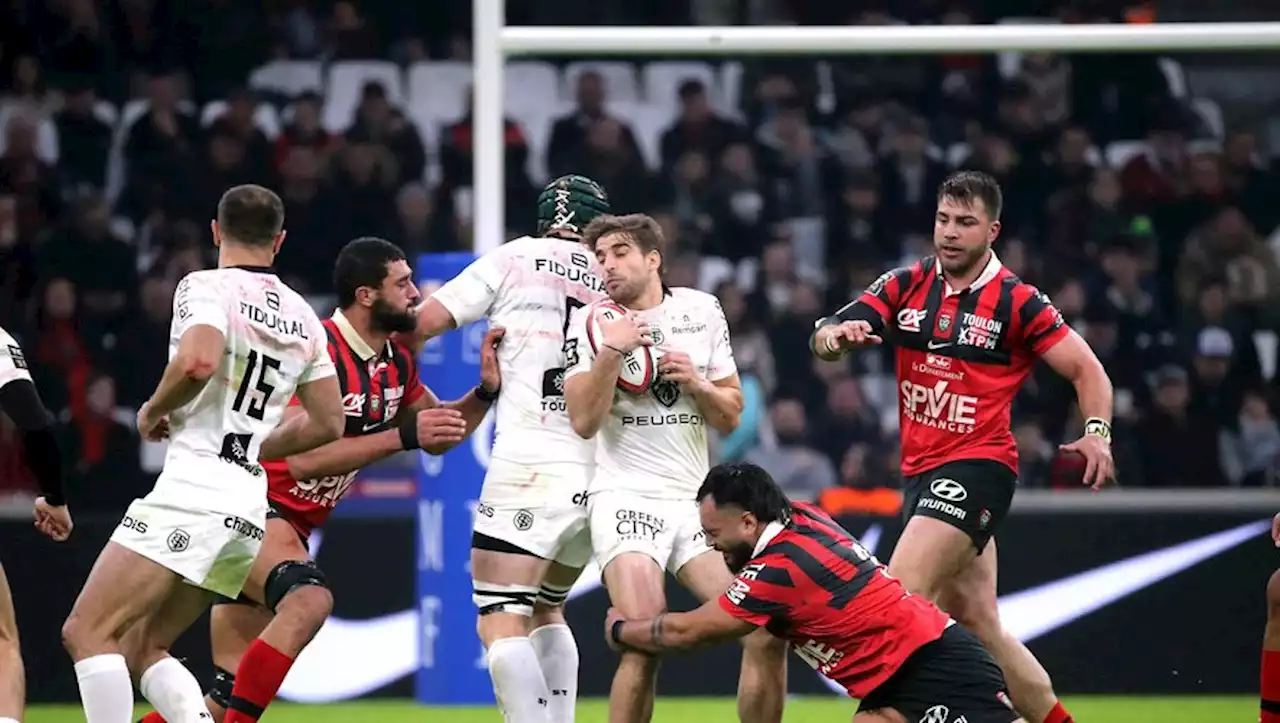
241	346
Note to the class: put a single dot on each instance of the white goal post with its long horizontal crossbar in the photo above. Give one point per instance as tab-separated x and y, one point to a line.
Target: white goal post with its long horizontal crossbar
493	42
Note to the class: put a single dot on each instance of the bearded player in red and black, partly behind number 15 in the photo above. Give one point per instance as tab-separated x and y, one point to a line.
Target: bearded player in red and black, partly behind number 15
388	410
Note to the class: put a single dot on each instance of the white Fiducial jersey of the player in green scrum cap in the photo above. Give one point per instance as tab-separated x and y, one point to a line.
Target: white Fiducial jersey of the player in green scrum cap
529	287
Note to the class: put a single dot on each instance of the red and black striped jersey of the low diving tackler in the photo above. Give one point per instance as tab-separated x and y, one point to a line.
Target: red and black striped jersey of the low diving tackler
813	584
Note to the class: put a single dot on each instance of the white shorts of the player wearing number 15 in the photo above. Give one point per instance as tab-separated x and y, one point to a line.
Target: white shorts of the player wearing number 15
211	550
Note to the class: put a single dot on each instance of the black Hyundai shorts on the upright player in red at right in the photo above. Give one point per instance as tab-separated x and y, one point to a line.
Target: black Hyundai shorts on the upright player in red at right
971	495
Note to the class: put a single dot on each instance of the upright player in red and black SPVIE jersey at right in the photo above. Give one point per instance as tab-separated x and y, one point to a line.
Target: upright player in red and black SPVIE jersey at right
968	335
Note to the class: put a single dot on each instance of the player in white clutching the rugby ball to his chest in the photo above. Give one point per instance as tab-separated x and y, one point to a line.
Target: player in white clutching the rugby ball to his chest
653	454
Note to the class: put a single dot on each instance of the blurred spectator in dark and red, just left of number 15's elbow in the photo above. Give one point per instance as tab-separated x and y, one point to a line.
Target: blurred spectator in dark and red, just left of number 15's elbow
107	477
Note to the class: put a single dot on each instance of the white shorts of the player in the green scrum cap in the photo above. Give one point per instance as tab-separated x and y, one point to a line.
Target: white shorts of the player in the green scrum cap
537	509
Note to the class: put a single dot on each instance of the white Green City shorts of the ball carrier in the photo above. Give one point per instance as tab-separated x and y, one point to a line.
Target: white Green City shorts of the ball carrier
668	530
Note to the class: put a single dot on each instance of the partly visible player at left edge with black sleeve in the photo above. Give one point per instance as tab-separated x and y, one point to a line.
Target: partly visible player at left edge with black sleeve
21	402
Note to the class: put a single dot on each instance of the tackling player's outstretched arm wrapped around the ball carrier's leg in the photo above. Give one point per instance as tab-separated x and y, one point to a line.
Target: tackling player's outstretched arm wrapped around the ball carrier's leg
707	625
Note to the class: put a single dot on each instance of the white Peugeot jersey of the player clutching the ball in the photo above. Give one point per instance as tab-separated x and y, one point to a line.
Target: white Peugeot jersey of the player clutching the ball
655	445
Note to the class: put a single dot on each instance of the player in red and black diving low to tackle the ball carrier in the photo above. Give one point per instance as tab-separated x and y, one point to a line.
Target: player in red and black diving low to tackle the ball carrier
804	579
